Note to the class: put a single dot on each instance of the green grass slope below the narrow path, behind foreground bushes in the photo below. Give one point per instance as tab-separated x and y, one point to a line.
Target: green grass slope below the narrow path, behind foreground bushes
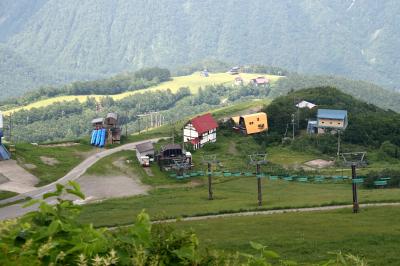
373	234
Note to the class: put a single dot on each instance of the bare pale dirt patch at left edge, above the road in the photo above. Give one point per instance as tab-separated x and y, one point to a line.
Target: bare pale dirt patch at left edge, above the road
19	180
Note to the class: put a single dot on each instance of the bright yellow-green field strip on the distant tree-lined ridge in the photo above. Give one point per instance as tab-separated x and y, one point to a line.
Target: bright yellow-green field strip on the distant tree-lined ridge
193	82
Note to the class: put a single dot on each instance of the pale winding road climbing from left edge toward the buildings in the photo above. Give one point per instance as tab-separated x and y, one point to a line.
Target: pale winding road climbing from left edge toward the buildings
16	210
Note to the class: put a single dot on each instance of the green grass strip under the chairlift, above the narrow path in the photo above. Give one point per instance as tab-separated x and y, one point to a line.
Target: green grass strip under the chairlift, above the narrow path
230	195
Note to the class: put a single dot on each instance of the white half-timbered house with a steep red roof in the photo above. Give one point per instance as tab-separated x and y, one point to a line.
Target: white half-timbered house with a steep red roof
200	130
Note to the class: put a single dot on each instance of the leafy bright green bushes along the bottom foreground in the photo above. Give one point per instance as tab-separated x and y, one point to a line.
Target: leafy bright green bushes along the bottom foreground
51	236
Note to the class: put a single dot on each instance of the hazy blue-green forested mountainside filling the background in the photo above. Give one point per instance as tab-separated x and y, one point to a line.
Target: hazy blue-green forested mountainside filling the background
89	39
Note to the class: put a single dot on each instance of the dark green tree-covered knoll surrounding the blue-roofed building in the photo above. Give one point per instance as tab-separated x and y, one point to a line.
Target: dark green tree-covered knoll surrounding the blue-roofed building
369	126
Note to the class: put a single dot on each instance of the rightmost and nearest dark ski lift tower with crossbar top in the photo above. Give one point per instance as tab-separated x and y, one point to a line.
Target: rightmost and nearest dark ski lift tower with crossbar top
354	160
